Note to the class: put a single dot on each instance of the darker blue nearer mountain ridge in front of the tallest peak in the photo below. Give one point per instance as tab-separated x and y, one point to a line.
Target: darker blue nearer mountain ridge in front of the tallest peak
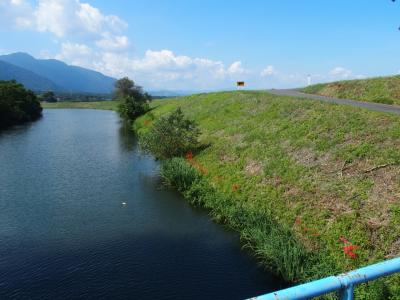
29	79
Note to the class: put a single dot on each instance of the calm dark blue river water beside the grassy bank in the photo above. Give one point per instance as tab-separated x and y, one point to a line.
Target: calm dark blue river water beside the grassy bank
64	233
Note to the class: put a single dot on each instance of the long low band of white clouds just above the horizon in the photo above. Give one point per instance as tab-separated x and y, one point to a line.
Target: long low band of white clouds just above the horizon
156	69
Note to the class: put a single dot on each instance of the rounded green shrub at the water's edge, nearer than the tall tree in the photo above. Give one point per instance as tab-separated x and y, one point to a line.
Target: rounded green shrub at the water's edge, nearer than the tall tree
171	136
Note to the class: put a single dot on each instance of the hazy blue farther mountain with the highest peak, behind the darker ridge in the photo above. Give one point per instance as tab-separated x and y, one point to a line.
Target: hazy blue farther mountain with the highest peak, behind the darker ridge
64	77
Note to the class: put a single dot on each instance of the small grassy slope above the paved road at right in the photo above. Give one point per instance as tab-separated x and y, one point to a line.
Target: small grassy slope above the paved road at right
380	90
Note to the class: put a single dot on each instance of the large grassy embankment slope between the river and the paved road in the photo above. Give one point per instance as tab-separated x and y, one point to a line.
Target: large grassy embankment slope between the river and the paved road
320	172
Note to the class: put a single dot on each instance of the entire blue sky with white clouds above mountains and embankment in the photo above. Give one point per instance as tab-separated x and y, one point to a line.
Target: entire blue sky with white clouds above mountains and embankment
190	45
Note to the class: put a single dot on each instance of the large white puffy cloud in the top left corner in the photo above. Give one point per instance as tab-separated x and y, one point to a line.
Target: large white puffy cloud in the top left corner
68	19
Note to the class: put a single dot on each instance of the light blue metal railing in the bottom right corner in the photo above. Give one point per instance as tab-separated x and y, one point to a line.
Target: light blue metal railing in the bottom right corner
344	283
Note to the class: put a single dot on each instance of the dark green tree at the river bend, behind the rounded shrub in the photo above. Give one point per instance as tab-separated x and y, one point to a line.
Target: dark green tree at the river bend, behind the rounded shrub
133	101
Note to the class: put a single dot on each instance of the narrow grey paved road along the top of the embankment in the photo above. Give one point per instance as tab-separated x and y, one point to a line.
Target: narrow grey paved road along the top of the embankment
373	106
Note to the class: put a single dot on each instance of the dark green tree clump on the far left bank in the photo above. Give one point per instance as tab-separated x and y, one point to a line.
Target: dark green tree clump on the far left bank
17	104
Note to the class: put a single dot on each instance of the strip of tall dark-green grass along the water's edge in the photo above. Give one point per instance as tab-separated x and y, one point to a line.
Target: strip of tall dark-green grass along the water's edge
275	246
